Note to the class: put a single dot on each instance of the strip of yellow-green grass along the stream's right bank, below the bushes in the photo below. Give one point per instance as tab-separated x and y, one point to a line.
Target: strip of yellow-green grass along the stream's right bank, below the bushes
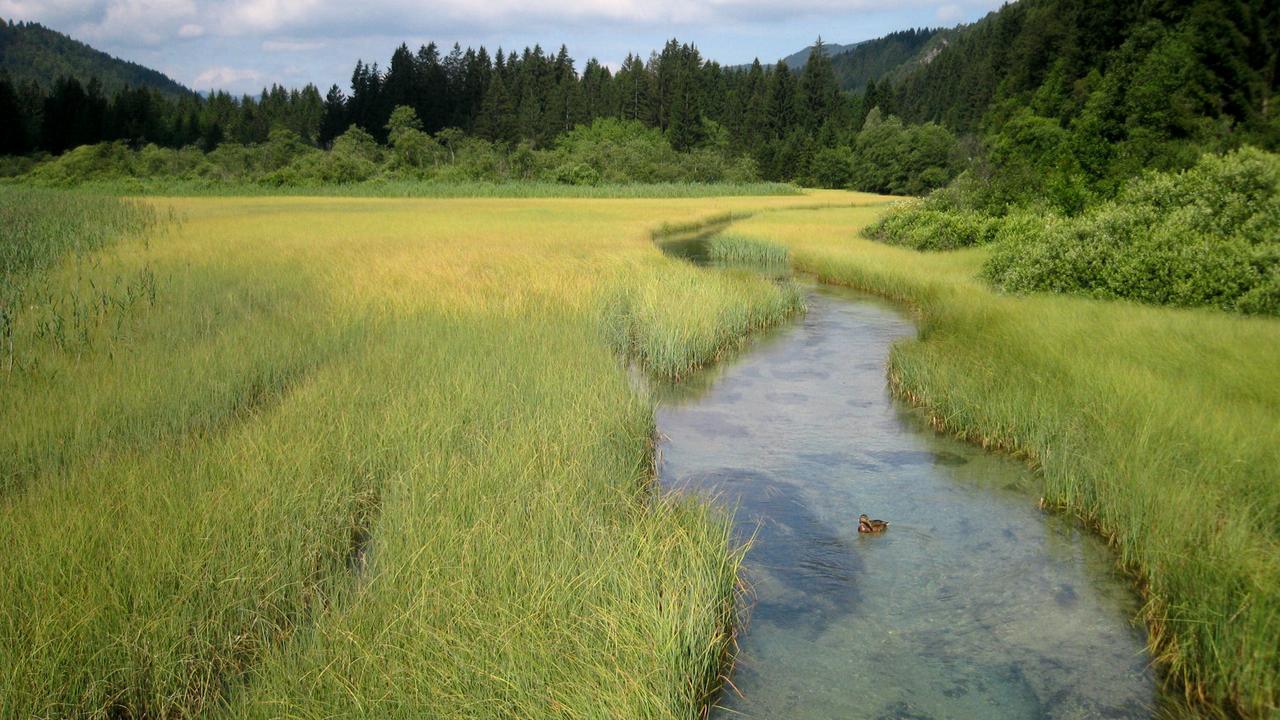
1160	427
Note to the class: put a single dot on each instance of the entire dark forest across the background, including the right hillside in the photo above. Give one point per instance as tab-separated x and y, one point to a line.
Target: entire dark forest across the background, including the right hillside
1059	102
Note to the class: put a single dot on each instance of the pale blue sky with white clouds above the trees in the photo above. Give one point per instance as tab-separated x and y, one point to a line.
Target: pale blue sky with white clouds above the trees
241	45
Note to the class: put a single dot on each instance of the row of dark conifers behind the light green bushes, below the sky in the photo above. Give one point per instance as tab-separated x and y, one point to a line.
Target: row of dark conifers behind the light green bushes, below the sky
793	125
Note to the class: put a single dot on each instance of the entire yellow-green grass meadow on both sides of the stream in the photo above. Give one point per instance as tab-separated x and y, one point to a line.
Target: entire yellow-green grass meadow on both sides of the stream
1164	453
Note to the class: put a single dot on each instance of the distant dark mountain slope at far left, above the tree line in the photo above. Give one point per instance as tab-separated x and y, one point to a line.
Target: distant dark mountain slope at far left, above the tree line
34	52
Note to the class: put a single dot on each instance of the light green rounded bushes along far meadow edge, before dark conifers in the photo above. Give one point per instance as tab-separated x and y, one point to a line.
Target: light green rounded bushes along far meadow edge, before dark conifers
607	152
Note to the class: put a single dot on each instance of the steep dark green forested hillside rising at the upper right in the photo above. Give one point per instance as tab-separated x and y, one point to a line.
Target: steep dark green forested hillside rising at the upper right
1141	84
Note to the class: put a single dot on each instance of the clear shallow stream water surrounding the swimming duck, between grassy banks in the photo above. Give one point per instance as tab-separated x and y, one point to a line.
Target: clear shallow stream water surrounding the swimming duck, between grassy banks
973	604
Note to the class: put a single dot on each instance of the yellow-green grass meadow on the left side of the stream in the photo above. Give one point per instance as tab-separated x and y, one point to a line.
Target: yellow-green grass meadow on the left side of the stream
369	458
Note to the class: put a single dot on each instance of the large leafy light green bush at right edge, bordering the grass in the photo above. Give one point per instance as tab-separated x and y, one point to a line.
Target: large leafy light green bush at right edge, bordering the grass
1209	236
